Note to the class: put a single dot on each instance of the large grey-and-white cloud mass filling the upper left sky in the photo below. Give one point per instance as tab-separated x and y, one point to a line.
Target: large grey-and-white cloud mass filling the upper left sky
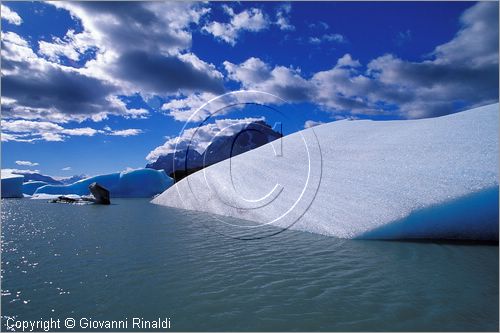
154	58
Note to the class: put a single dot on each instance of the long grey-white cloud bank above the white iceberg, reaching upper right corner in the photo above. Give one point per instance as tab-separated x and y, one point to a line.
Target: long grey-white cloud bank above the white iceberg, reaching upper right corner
463	71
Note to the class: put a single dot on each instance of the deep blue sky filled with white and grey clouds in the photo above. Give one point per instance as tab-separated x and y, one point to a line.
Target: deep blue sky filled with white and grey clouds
99	87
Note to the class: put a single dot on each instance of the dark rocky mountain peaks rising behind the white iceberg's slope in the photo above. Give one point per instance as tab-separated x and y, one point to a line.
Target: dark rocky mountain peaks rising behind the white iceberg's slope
250	137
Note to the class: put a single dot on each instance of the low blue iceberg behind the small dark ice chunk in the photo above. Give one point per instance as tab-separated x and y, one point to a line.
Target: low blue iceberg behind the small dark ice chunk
140	183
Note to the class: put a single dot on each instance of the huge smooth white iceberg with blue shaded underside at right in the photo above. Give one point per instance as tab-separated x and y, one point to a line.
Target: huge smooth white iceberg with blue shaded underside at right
427	178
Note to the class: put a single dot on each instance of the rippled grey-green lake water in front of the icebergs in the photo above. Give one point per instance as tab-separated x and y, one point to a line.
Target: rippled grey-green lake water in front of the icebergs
135	259
